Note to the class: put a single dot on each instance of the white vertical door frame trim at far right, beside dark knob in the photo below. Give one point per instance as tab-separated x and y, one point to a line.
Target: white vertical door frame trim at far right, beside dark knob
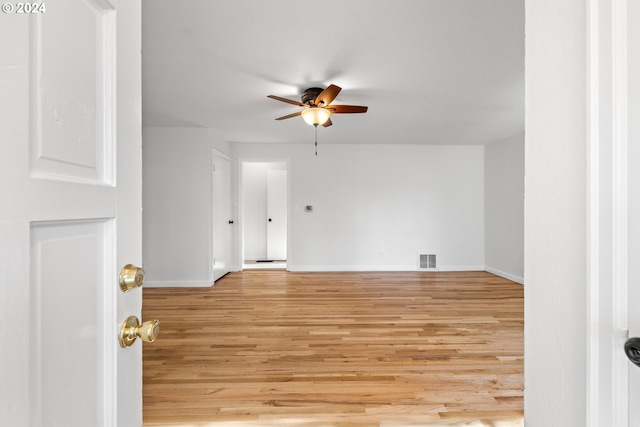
607	216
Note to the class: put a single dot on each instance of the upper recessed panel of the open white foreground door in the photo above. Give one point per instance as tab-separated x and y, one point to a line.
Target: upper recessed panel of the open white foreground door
73	103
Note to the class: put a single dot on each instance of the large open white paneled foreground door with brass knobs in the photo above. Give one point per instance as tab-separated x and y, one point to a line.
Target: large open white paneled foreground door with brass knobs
70	213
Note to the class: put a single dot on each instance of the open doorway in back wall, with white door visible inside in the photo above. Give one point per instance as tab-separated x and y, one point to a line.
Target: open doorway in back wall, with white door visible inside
264	195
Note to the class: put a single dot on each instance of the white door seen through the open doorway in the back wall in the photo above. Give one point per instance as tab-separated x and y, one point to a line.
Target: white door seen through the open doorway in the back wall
277	214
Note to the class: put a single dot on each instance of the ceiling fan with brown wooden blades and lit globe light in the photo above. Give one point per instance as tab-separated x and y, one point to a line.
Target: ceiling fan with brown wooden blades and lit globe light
317	106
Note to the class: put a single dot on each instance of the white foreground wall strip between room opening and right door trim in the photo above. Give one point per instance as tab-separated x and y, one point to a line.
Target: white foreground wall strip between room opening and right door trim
555	214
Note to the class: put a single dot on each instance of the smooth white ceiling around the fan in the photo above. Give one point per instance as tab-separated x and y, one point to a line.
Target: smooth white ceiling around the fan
430	71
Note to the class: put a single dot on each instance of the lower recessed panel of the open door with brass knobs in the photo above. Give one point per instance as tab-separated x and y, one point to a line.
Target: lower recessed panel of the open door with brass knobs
67	258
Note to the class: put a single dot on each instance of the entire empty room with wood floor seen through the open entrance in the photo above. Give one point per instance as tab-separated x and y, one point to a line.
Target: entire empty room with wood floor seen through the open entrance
395	293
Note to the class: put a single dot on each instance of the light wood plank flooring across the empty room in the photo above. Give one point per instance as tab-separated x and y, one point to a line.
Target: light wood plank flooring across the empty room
274	348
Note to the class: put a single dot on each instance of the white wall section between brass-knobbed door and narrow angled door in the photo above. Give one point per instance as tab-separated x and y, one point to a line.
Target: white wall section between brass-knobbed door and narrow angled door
176	180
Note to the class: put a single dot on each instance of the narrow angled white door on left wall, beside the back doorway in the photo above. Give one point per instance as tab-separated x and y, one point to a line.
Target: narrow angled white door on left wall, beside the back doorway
222	221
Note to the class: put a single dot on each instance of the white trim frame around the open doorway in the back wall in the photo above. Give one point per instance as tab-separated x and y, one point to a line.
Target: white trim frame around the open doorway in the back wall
240	230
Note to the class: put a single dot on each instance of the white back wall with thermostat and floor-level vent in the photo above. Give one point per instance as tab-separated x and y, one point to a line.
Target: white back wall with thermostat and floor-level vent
376	206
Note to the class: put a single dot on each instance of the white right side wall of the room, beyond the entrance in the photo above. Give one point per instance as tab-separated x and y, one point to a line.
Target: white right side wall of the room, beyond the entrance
504	207
